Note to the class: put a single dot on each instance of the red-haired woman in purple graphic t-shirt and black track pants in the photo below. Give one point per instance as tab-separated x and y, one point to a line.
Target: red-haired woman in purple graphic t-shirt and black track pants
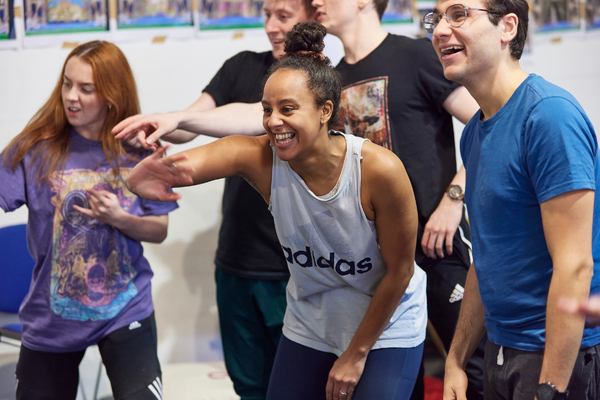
91	282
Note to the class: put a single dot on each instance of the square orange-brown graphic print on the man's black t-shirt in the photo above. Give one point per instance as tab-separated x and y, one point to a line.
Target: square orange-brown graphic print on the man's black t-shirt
364	111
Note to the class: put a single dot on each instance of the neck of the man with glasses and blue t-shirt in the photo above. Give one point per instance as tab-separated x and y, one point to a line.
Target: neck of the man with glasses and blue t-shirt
494	91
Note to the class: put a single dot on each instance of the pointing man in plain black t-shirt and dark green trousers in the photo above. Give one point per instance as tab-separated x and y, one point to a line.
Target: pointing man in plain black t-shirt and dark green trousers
251	273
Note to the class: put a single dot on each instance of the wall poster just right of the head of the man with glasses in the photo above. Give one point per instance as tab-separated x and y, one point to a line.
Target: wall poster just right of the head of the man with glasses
556	15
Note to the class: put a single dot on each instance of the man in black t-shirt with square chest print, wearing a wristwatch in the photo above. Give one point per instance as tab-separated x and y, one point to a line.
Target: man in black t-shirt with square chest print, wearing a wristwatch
396	95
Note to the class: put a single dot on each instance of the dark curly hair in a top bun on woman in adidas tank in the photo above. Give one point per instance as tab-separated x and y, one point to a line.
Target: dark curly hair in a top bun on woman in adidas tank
304	51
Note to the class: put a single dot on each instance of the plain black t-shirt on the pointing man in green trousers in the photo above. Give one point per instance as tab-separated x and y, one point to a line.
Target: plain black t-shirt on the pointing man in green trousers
248	245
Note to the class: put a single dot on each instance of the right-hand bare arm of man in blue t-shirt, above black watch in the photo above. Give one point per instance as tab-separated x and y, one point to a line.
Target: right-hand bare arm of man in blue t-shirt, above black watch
567	220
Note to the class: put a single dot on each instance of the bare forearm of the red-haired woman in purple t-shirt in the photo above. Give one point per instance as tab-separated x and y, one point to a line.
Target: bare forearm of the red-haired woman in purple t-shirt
150	228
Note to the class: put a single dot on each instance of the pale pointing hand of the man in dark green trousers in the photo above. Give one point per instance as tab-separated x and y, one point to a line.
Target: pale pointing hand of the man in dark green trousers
145	130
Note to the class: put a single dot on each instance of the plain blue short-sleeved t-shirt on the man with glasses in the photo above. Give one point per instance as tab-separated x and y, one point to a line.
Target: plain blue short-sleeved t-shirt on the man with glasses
539	145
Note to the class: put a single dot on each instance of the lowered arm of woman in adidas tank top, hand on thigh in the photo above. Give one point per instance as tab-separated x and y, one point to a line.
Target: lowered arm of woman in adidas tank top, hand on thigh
388	199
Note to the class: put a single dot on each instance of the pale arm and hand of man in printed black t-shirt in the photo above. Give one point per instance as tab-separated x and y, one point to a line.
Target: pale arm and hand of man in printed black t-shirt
443	222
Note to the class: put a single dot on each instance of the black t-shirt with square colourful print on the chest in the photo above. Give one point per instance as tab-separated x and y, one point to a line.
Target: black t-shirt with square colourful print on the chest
394	97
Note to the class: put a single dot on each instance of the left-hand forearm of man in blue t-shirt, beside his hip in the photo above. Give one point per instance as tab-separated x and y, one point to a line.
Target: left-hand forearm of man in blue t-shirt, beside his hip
470	327
